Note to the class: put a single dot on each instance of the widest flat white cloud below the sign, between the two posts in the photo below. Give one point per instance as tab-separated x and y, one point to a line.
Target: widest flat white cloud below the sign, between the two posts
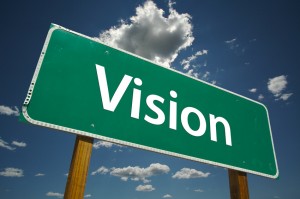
139	174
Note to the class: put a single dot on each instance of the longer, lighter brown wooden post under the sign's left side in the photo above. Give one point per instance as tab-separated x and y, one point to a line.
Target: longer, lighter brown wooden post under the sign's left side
79	168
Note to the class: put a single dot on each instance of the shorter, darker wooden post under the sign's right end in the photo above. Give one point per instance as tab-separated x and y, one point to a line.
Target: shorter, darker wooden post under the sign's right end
238	184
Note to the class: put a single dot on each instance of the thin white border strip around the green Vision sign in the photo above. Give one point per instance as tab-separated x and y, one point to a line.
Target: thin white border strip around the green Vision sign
54	27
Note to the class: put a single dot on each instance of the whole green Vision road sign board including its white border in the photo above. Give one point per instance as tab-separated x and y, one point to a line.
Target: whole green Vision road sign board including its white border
85	87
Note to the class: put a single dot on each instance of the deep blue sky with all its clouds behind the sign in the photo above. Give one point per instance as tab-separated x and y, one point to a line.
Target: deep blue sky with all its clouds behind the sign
248	47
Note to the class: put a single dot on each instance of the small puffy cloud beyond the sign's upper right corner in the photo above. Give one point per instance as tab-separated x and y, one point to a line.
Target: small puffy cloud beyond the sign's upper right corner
277	85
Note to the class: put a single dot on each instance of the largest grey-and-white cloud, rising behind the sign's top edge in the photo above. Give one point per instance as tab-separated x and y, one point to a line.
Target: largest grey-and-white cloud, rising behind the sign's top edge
152	34
